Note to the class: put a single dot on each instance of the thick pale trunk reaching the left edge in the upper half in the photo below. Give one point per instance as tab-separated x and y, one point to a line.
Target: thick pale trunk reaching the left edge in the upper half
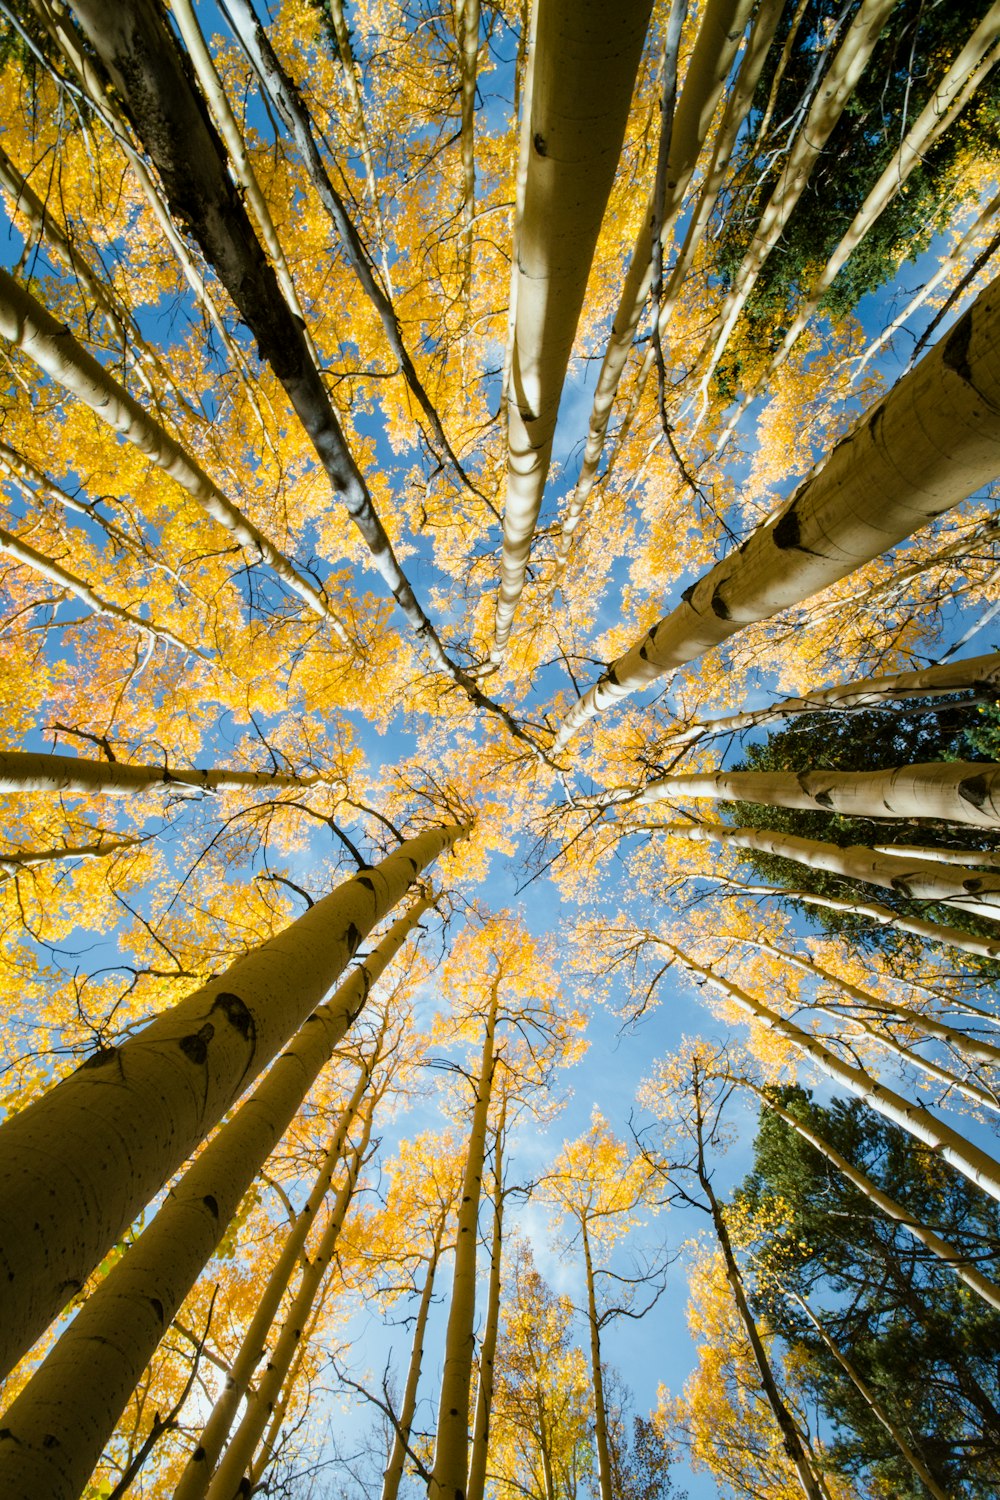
50	344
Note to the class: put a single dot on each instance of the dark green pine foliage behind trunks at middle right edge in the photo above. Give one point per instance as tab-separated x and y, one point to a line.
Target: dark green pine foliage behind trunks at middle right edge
954	730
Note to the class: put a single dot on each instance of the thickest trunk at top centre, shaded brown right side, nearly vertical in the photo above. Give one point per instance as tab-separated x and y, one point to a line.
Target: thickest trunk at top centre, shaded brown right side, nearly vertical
572	160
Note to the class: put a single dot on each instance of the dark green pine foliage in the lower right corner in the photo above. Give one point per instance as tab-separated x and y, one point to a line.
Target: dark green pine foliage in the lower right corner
921	1342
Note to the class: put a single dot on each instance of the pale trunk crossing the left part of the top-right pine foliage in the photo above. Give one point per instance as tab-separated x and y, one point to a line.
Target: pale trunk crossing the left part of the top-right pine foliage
825	112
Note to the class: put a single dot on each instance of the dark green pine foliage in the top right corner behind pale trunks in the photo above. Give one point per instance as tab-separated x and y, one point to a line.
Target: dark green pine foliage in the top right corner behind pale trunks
917	47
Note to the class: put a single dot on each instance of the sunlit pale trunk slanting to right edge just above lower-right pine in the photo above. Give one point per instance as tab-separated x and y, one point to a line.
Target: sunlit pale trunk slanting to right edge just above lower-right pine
951	1145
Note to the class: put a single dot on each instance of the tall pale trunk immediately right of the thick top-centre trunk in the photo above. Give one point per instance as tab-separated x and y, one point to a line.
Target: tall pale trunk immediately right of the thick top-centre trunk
720	29
